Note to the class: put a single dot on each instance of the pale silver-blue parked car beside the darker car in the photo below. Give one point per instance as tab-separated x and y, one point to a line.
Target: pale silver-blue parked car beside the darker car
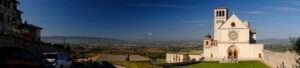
56	60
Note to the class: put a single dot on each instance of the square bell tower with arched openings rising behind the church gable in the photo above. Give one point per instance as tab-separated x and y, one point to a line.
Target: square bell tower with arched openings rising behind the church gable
220	16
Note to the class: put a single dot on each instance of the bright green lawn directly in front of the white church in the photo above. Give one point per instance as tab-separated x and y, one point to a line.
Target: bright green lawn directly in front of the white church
242	64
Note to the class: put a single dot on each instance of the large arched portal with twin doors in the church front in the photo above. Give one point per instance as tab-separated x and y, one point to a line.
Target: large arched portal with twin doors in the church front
233	52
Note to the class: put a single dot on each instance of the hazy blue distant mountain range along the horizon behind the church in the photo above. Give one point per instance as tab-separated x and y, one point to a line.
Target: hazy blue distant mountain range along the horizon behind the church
101	40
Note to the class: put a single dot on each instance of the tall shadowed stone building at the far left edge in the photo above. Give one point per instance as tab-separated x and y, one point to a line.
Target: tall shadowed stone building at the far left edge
10	16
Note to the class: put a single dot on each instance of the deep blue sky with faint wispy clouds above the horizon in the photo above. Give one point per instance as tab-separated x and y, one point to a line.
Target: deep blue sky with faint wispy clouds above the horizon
158	19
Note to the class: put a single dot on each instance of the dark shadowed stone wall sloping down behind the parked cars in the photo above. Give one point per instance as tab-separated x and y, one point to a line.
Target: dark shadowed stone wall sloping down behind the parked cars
36	48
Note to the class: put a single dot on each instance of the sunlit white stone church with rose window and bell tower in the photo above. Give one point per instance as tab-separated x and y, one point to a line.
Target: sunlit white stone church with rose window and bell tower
233	39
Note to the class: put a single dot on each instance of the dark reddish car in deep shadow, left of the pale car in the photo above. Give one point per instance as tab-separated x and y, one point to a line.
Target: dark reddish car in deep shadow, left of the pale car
12	57
